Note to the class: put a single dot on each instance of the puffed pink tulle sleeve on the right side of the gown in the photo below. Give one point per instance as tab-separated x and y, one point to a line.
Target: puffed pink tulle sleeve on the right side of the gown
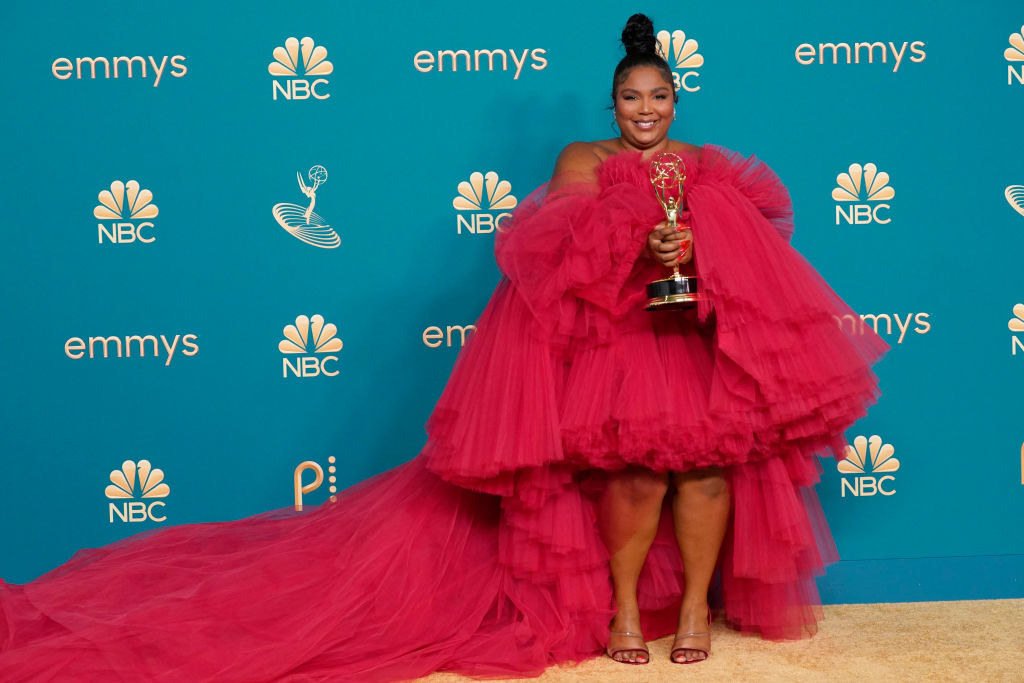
782	356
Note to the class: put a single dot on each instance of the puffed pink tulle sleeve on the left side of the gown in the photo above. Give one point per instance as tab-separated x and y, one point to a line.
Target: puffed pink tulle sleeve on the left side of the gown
572	261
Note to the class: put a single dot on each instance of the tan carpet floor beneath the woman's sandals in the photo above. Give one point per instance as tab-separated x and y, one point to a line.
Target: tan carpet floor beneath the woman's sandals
978	642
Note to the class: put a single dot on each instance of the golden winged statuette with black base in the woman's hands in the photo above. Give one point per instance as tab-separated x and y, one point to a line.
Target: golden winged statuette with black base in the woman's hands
668	174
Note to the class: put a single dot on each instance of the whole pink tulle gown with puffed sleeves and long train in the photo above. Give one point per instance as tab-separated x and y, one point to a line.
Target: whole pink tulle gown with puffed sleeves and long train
482	556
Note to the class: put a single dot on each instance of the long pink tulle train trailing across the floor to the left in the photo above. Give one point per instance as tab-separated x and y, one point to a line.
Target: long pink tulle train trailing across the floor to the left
398	579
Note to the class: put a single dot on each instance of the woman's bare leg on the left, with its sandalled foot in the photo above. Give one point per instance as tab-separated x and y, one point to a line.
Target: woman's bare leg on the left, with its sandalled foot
630	509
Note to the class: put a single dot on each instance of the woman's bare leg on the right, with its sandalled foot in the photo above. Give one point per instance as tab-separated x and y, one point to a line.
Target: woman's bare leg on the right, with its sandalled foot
701	511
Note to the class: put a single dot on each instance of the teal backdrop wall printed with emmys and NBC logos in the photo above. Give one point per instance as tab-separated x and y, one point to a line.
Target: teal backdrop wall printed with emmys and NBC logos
244	243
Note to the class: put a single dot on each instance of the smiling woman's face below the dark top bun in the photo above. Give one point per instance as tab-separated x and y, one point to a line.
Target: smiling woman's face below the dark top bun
645	109
